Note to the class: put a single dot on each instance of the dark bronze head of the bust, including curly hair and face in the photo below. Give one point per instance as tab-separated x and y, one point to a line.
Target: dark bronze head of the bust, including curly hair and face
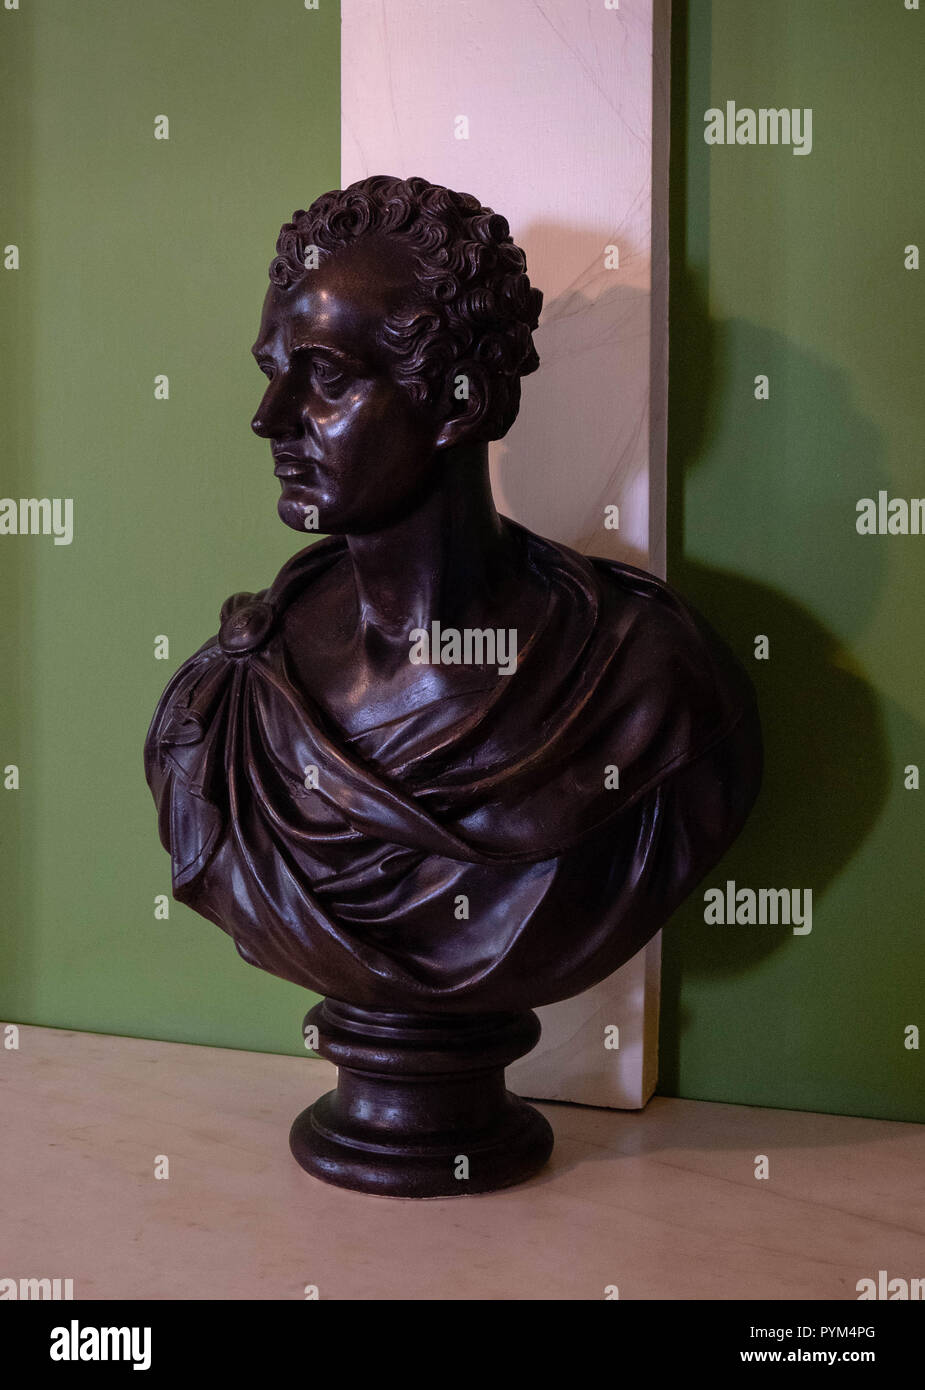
397	326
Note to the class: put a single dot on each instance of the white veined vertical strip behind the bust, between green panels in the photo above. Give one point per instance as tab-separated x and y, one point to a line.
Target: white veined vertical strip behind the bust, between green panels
545	111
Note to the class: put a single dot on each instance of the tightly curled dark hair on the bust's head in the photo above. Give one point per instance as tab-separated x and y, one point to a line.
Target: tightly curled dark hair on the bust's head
472	297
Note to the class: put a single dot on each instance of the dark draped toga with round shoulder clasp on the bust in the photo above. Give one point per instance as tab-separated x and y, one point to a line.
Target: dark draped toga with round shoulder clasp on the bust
514	844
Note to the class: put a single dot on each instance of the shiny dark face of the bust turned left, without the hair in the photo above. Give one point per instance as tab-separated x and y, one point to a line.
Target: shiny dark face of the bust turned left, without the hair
346	436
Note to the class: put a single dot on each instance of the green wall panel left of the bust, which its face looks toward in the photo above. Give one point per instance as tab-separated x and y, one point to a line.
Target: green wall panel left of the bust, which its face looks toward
138	258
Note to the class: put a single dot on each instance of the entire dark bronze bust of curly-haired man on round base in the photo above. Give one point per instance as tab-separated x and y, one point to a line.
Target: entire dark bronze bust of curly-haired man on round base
442	771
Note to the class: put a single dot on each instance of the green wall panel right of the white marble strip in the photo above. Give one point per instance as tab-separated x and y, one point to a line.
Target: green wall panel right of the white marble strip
794	268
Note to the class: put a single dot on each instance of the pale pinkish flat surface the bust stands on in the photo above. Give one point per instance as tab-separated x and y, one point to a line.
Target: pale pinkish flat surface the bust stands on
664	1203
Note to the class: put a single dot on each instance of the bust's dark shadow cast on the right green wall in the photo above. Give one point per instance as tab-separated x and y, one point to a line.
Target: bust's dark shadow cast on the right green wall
827	768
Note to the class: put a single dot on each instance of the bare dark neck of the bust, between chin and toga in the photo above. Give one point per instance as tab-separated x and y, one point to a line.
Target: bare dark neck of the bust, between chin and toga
443	562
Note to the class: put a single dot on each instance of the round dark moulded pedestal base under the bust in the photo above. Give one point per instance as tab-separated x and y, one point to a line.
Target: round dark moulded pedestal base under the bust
421	1109
